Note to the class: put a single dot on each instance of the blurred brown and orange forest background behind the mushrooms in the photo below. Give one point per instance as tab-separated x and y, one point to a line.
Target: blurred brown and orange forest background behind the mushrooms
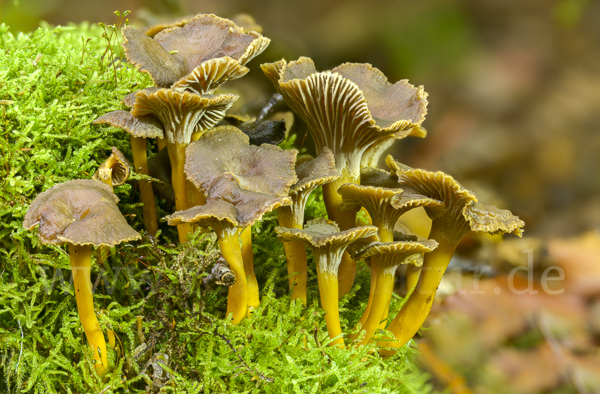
514	114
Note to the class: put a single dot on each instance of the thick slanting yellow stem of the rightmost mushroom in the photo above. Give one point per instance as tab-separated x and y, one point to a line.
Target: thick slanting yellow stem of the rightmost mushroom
417	307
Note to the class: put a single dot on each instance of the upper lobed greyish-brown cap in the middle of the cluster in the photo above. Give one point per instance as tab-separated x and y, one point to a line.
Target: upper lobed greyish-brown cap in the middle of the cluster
224	151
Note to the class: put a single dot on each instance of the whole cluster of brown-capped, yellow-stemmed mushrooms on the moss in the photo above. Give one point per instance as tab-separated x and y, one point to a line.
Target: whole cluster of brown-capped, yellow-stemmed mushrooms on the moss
226	172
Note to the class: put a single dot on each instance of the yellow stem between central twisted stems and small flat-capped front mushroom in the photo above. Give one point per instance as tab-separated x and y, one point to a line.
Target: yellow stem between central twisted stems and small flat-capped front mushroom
295	253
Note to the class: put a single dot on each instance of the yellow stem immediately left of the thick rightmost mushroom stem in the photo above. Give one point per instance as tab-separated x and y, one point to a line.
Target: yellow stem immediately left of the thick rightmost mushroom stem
381	301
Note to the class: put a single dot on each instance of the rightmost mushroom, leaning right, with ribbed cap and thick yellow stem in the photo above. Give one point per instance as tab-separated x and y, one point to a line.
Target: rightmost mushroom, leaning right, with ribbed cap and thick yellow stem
462	213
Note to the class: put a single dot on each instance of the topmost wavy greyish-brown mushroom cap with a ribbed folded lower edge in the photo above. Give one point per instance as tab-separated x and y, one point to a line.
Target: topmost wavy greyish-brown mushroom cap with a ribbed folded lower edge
200	54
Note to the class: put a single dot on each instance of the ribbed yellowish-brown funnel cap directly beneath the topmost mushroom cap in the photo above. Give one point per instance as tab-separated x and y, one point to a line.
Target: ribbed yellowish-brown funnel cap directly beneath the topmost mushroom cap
182	113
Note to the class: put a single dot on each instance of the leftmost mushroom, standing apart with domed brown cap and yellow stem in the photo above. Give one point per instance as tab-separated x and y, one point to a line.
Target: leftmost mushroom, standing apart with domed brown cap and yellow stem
81	214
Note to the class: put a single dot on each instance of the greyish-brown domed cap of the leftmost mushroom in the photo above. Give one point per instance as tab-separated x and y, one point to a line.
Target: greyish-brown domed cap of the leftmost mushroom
80	212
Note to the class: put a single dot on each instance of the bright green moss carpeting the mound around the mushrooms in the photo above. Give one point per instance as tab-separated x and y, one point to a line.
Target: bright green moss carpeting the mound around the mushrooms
53	83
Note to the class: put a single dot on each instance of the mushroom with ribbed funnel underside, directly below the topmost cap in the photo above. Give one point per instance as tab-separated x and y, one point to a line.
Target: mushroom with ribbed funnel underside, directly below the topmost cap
181	114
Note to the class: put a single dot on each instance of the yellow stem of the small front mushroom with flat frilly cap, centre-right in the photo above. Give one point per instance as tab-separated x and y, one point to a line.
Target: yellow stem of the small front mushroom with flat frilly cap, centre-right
328	288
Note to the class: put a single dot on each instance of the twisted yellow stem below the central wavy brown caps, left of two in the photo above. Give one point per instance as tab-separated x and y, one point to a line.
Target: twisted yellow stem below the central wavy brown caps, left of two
237	300
